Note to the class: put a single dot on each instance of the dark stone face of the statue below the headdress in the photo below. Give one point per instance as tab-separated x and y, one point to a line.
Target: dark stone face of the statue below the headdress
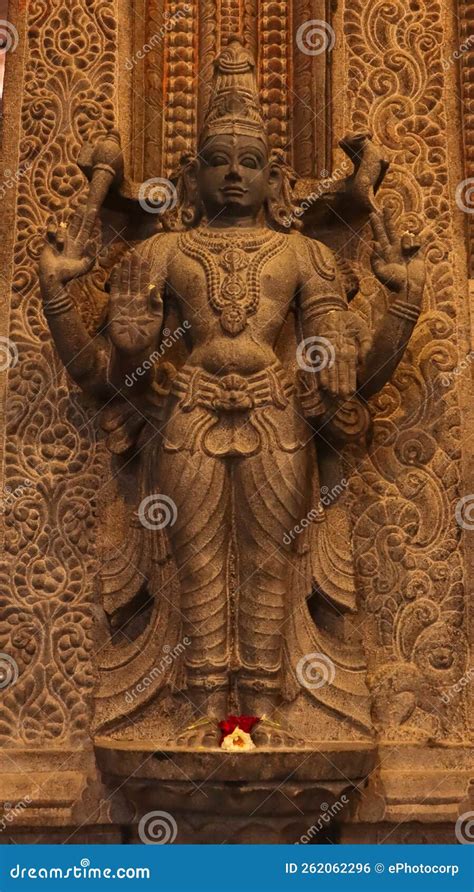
233	176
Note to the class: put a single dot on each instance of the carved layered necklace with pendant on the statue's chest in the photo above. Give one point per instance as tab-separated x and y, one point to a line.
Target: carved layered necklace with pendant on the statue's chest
232	264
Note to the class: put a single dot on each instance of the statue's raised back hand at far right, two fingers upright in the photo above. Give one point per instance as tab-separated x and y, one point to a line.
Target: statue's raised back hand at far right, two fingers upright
396	262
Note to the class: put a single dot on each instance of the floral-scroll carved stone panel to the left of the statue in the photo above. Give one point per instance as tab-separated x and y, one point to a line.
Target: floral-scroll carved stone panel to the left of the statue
64	74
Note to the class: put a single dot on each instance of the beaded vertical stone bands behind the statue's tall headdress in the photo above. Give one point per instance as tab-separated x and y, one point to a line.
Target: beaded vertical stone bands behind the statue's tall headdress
170	64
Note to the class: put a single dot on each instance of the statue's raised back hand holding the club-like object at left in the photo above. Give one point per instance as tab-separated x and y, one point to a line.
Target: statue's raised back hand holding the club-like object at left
69	251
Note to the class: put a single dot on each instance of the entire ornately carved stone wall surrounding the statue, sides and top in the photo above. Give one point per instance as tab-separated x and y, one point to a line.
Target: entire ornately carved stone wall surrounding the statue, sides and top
412	570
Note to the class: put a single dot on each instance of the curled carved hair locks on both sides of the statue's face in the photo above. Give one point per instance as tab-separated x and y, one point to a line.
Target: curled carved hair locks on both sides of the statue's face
188	210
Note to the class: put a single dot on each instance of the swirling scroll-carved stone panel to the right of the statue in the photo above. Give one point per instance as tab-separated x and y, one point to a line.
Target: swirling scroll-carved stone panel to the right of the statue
407	535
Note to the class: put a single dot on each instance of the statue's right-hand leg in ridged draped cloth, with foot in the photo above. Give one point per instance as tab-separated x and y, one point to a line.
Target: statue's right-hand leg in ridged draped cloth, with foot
271	496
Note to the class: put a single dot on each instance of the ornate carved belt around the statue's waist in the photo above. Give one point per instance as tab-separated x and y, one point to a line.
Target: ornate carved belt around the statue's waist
231	393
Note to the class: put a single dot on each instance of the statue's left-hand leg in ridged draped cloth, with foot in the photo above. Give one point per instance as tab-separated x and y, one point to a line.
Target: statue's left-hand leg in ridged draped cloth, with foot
199	539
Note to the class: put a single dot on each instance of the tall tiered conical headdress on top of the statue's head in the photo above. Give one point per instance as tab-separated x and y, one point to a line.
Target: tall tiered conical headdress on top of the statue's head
234	105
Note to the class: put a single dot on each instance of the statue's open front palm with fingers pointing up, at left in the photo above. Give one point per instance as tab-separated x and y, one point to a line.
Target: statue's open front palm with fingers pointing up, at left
136	311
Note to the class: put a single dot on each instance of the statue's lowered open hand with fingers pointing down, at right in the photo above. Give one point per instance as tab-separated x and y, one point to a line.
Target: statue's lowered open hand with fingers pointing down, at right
347	343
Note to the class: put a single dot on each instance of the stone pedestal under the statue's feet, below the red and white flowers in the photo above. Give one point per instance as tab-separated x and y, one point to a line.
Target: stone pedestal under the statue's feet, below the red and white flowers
209	796
